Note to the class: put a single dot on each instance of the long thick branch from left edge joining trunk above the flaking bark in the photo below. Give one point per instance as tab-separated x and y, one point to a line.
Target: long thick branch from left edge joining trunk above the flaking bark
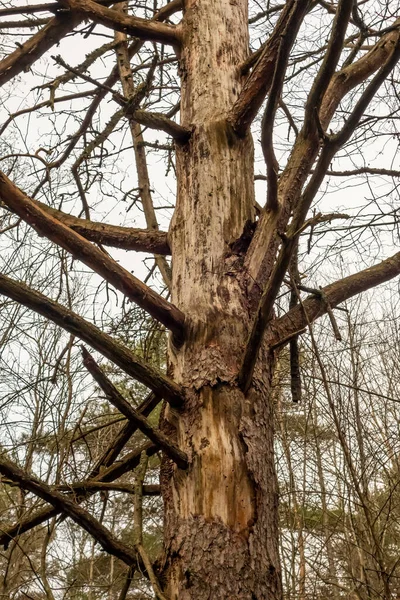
93	257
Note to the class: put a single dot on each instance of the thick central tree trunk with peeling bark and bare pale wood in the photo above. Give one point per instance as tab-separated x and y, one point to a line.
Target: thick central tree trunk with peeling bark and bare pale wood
221	515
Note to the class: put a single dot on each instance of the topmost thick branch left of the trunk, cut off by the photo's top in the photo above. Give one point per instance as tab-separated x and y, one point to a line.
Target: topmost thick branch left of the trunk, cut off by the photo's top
140	28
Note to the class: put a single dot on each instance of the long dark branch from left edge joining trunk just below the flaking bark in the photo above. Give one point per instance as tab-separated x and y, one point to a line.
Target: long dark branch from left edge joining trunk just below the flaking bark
100	341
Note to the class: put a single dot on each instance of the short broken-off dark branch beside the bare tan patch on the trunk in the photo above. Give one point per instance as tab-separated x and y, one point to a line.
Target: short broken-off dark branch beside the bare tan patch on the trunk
156	436
